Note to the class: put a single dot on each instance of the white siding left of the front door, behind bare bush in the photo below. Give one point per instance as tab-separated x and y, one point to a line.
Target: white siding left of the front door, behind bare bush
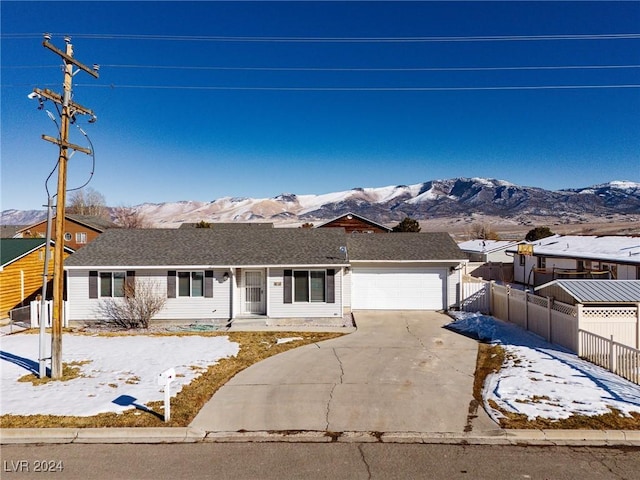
83	308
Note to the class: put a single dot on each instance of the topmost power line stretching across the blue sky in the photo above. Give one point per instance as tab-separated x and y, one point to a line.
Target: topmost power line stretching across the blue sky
278	39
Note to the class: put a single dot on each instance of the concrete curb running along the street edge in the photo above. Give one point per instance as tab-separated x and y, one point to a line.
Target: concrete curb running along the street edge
16	436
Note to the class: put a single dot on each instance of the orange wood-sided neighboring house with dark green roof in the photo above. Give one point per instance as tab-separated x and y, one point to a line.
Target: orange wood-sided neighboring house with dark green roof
21	271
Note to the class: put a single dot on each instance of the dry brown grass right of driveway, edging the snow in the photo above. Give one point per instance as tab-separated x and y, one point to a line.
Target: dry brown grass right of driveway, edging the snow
490	360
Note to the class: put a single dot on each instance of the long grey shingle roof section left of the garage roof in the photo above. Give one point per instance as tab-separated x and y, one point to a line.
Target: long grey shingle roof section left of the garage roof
205	247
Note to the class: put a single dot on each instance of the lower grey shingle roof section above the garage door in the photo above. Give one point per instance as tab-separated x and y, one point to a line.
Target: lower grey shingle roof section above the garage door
428	246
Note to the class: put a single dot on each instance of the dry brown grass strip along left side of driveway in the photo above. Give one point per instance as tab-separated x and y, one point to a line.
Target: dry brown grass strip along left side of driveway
254	347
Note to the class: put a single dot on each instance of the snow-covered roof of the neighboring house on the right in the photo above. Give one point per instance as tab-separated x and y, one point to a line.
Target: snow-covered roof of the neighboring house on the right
623	249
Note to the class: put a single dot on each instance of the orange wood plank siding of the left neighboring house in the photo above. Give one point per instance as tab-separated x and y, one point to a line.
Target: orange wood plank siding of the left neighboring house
12	292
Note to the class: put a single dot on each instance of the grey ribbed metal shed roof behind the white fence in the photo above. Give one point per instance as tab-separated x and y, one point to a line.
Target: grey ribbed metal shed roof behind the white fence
598	291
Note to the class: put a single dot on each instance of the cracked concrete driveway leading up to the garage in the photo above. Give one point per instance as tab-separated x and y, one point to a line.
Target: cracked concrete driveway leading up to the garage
399	372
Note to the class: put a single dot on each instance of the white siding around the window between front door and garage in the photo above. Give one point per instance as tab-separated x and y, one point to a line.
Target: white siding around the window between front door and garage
278	309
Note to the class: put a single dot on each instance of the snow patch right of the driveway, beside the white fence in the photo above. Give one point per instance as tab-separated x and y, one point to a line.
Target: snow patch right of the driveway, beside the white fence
539	379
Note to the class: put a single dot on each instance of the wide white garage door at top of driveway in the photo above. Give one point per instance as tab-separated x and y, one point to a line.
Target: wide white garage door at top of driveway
398	288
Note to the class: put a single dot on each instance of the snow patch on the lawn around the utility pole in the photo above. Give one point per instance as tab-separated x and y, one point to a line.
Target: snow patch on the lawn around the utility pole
121	372
